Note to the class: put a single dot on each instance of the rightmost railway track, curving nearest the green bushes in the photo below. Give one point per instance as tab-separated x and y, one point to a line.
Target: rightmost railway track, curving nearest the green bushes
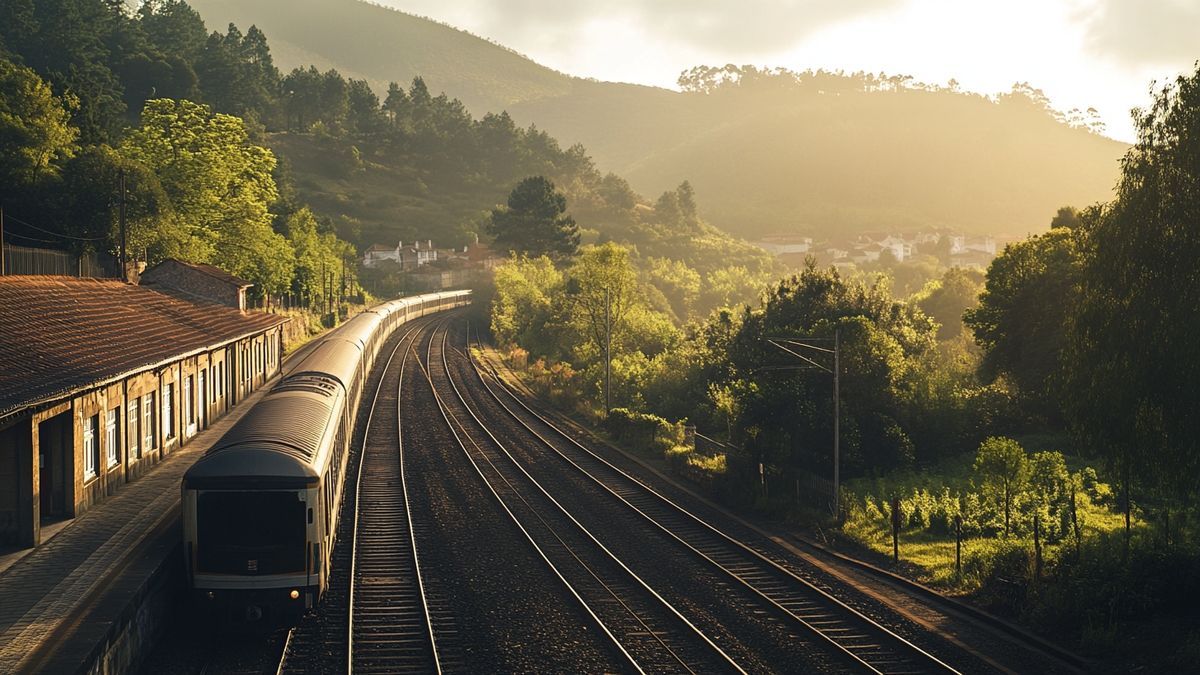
856	638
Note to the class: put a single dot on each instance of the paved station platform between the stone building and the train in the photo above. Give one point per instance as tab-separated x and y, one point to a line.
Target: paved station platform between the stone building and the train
61	601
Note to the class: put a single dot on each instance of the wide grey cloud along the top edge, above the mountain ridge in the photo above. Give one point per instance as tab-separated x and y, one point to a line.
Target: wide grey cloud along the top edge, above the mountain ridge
735	29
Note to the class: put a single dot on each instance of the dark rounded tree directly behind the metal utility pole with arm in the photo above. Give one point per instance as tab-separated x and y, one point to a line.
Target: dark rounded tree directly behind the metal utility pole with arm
881	343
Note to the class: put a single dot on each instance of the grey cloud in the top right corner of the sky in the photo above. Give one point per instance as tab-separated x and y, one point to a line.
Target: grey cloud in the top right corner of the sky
1148	33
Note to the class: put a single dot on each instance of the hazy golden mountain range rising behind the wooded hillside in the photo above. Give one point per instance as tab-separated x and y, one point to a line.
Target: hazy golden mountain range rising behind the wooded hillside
820	157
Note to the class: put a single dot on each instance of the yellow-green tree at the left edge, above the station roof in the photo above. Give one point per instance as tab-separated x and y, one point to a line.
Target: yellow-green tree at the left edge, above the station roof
35	127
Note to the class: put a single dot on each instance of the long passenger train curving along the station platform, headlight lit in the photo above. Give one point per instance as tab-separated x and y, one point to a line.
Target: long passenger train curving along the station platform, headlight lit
260	509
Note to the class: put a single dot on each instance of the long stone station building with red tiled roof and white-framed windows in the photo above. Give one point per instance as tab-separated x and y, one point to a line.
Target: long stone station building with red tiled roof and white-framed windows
100	380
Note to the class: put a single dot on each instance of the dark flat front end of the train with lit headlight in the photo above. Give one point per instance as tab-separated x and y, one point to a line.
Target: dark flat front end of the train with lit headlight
250	531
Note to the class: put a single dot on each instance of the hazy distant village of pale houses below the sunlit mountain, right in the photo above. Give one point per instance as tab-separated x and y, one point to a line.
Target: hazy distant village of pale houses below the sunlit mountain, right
950	248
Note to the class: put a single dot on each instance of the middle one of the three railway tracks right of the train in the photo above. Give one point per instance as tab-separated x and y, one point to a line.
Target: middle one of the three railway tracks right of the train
643	625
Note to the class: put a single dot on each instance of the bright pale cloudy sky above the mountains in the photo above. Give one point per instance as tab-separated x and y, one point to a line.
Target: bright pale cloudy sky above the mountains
1081	53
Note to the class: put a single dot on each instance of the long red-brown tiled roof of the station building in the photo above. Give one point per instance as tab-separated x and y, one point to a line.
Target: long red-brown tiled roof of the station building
59	334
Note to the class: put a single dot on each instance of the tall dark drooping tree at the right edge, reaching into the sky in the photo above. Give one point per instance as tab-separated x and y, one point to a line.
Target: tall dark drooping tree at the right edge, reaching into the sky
1136	355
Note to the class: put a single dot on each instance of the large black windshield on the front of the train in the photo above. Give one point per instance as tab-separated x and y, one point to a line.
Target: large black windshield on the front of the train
260	533
